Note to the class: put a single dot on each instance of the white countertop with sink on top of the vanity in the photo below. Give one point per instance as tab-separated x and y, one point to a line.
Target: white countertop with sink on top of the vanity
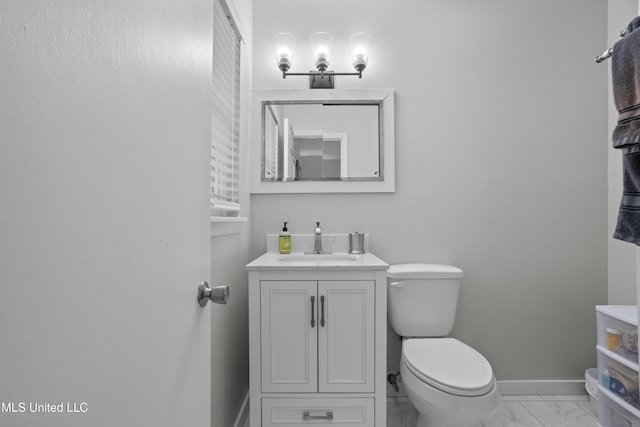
335	261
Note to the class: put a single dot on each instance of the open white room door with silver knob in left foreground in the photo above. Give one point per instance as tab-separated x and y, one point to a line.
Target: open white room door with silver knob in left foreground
104	233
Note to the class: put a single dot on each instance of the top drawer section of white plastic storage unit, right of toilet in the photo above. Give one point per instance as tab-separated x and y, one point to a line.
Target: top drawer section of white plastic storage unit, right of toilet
618	330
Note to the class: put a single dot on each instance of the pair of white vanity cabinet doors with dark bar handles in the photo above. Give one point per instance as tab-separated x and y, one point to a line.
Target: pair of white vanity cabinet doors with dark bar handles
317	336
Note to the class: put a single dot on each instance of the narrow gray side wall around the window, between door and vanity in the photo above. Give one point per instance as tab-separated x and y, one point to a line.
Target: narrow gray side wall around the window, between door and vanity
229	255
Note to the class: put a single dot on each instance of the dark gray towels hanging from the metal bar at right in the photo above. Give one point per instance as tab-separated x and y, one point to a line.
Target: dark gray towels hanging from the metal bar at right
625	71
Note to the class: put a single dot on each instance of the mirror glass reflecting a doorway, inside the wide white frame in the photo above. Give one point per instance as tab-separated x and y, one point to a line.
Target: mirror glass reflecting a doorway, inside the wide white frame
322	141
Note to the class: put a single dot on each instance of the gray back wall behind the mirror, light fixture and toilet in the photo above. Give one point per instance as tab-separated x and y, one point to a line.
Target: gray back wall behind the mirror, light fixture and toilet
501	160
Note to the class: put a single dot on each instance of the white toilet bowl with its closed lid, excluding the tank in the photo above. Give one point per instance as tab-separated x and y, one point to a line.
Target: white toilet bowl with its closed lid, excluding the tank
449	383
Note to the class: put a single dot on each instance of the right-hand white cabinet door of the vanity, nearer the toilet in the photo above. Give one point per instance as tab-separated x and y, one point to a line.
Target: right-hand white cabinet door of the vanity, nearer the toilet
346	338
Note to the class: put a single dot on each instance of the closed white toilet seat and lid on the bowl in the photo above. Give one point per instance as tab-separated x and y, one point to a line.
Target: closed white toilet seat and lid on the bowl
448	365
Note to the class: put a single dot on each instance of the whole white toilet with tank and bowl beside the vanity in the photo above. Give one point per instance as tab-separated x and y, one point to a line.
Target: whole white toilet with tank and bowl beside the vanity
447	381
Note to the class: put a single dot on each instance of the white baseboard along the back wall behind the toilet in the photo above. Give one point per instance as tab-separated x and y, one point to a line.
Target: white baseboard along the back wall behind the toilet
521	388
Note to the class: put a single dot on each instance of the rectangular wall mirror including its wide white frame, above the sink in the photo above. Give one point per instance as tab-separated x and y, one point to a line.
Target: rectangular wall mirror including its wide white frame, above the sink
322	141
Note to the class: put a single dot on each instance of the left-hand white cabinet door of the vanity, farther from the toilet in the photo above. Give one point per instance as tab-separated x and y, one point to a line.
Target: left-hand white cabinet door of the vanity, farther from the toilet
289	339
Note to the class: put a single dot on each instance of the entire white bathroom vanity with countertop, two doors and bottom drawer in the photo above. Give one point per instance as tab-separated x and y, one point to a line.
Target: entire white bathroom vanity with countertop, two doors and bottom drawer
317	338
